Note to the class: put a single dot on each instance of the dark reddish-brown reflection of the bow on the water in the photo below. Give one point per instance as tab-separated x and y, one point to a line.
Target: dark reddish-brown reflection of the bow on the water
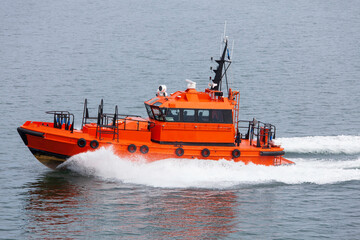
53	204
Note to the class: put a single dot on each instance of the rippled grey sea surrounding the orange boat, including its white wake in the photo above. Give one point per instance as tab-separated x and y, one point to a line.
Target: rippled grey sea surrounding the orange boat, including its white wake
296	63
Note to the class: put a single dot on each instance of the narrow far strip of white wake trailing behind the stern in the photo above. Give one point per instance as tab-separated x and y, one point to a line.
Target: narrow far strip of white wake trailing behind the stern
321	144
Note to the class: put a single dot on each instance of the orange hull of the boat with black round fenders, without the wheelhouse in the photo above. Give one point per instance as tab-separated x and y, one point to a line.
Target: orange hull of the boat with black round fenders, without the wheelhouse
53	146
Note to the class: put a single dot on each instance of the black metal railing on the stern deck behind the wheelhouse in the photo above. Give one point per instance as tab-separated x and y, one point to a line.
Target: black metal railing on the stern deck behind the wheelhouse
263	133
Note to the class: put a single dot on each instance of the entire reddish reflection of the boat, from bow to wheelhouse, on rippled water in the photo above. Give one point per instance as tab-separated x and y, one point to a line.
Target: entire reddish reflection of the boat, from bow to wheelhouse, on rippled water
66	205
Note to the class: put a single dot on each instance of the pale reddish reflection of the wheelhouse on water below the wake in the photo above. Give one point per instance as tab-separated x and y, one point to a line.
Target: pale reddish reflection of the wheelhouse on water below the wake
193	213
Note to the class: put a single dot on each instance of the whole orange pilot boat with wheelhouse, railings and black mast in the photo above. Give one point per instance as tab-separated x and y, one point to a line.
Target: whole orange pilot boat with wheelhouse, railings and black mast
187	124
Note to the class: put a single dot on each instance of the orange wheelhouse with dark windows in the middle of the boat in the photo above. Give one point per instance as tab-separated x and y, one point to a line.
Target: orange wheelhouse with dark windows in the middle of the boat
193	118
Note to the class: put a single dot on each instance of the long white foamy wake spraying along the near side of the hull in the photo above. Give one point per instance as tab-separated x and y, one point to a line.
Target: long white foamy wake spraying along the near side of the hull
186	173
